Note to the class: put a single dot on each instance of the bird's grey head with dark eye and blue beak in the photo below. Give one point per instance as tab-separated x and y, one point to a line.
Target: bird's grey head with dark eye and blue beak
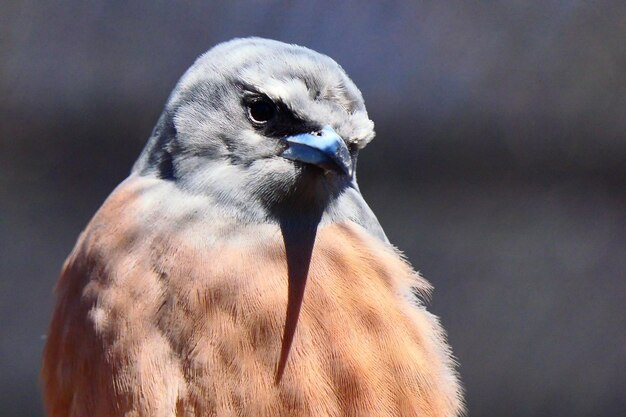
256	122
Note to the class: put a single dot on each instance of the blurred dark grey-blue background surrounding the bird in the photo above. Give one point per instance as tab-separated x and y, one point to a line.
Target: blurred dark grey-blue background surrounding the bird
499	167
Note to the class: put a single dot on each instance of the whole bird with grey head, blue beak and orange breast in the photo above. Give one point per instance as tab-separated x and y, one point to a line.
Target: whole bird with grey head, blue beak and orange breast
238	270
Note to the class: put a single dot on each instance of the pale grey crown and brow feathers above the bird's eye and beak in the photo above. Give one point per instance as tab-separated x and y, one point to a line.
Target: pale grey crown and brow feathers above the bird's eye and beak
312	85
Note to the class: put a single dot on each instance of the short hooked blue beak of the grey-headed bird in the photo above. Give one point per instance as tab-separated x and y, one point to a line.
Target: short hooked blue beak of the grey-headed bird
324	148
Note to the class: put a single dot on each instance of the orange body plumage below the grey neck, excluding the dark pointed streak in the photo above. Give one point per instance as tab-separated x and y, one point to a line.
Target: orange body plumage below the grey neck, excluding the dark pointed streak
156	322
